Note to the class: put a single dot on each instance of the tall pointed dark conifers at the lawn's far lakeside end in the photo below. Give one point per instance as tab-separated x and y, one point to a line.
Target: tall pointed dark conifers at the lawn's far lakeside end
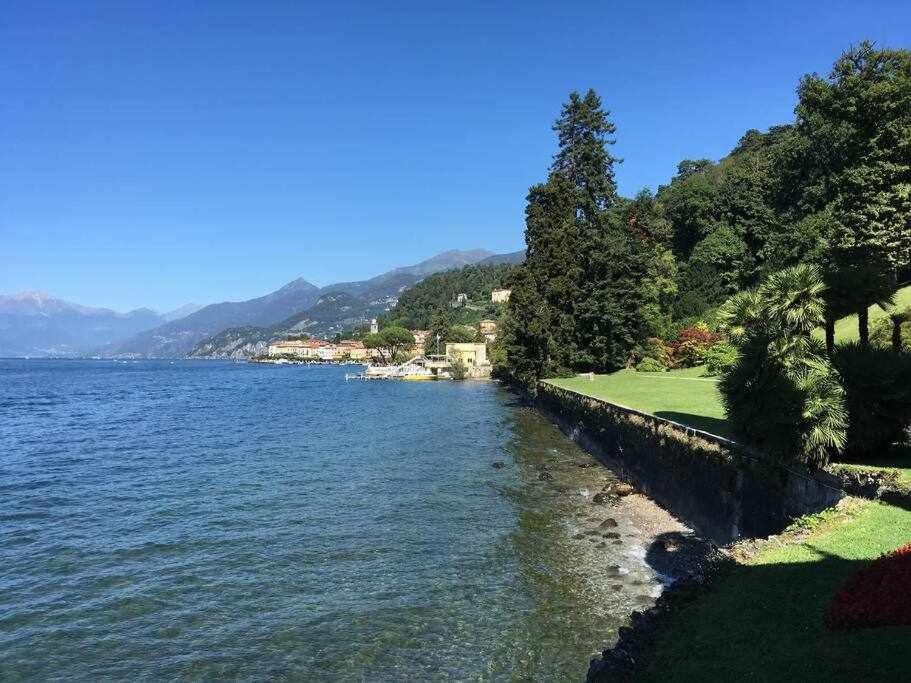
571	304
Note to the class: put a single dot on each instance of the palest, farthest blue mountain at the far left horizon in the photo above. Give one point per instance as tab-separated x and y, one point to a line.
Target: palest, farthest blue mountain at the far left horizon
37	324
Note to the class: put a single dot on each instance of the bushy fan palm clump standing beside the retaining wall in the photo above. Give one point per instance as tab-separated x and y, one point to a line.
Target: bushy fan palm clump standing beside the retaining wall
782	395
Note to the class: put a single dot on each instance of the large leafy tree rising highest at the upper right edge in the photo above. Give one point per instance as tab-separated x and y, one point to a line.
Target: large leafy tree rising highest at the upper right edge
857	123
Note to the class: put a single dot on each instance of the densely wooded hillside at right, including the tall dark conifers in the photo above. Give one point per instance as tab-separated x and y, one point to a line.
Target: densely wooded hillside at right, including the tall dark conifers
604	274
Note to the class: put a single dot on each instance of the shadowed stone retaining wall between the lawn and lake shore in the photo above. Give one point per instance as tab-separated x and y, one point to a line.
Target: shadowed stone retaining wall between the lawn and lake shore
720	489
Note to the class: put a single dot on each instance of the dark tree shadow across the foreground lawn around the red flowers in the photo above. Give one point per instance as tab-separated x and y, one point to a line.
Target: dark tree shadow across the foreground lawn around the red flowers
764	621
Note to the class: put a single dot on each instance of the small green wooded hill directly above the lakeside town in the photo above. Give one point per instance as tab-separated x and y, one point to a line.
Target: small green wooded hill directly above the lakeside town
421	306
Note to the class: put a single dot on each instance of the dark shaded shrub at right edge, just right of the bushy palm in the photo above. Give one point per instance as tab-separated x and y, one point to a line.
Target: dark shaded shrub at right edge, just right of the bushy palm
877	385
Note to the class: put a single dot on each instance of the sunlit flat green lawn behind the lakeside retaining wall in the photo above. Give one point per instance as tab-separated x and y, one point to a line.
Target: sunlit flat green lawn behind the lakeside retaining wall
685	396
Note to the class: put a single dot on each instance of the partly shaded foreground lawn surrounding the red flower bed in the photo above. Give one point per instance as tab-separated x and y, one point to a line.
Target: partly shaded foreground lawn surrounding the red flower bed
765	620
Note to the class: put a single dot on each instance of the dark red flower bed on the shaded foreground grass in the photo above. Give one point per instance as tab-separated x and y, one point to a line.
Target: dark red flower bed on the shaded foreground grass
877	595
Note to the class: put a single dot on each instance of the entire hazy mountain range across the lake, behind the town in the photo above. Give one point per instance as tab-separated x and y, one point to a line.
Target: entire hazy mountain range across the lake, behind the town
34	324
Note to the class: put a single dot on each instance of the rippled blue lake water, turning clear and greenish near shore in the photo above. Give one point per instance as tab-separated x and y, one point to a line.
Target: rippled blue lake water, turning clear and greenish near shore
203	520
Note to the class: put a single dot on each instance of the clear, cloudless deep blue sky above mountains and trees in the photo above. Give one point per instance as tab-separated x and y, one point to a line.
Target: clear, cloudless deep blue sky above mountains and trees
163	152
